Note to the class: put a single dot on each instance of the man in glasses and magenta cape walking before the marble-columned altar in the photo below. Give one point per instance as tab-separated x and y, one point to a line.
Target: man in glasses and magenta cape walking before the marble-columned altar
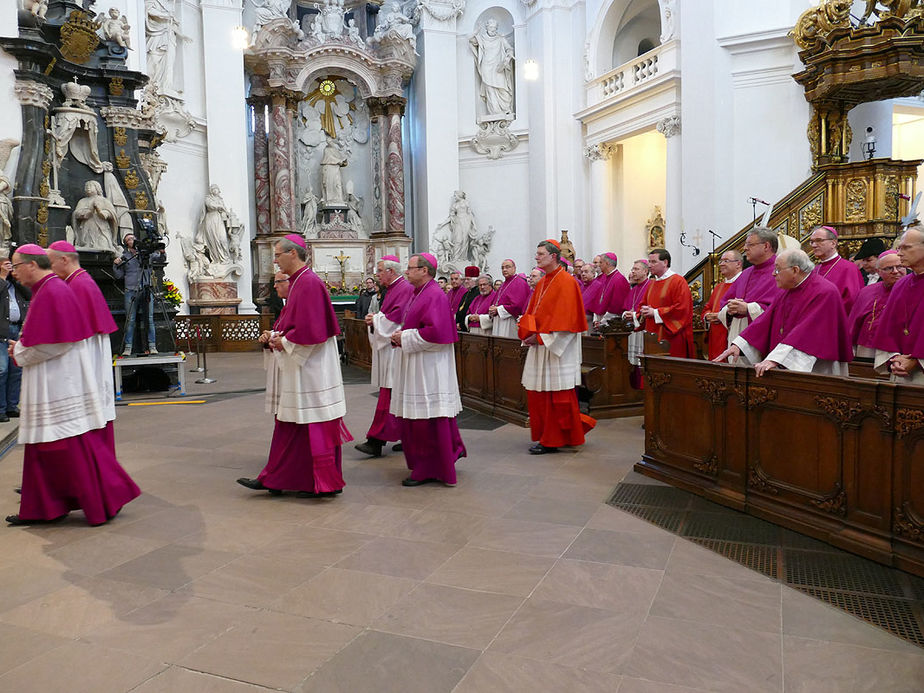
306	394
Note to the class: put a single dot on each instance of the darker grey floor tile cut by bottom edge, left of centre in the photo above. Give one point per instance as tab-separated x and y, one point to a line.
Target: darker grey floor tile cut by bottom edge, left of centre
392	664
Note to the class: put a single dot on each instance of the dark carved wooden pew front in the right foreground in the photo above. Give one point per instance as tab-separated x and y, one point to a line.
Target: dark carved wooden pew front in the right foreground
835	458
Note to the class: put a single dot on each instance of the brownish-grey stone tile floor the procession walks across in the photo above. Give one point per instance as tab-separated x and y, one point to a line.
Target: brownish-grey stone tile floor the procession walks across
518	579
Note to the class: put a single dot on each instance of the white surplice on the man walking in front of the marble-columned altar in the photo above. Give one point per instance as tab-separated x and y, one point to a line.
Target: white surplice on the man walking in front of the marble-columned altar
303	383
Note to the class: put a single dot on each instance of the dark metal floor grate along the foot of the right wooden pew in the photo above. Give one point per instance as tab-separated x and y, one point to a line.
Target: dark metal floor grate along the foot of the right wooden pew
886	597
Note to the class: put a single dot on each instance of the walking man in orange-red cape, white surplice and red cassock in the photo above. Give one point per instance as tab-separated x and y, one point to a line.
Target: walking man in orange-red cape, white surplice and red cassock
551	327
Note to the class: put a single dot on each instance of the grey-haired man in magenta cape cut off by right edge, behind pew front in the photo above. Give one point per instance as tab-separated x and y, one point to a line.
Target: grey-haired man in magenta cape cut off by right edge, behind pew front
899	339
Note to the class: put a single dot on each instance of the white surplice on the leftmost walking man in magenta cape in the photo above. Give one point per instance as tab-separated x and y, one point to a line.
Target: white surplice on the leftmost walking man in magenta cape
61	393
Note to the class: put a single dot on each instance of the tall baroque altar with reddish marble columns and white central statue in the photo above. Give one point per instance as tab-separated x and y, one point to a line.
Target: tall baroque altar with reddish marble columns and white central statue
328	104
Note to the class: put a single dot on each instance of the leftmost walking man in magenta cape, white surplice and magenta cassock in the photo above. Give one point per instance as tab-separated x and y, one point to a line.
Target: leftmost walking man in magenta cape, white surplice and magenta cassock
69	462
